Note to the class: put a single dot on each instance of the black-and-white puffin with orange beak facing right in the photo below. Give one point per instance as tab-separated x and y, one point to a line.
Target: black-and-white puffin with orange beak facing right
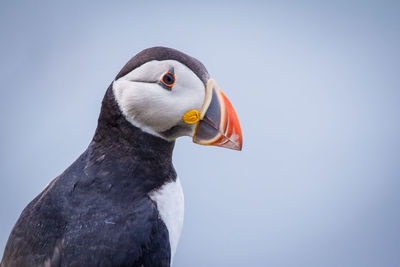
121	202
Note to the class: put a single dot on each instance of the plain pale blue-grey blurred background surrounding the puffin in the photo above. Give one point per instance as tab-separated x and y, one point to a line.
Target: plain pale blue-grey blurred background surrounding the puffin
316	85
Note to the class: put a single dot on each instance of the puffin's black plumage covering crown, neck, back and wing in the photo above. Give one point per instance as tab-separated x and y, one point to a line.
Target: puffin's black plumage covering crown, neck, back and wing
98	212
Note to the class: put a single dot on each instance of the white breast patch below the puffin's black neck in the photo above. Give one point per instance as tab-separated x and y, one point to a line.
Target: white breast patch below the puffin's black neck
170	205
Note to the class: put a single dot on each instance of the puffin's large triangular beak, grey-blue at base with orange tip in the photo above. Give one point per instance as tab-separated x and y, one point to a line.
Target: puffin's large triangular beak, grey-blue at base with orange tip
218	124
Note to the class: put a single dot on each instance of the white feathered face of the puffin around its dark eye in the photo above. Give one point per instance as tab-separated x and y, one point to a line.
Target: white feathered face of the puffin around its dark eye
148	105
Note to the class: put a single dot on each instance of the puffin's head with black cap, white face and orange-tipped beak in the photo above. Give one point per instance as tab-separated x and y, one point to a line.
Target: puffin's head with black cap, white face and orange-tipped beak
169	94
